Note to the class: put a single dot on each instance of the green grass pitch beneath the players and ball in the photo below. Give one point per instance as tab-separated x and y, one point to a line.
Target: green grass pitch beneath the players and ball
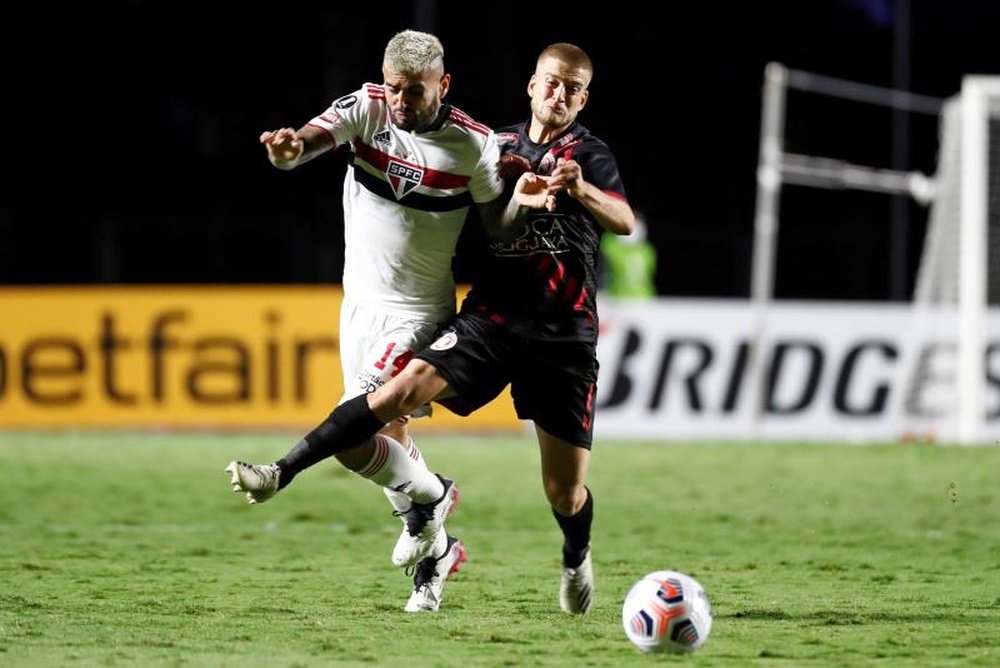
130	550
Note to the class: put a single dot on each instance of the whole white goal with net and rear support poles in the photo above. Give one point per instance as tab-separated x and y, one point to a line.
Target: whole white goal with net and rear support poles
947	385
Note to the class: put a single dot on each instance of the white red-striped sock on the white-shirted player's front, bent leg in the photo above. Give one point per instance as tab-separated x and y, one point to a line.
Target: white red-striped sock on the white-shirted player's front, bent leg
402	473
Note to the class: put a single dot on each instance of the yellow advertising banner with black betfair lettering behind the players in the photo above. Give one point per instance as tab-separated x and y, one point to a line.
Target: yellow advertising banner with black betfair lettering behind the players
180	357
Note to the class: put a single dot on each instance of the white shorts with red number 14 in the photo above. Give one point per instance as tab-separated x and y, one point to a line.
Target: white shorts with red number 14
375	346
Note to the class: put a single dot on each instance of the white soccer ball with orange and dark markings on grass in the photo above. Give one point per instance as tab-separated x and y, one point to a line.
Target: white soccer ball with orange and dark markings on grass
667	611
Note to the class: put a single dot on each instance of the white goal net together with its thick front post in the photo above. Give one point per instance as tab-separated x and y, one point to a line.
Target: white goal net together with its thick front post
952	384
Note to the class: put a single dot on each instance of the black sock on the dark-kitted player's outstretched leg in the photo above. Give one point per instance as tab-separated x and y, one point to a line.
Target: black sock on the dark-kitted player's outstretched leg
348	426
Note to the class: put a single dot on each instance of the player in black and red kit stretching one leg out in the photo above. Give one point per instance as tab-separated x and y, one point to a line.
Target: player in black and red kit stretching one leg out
529	321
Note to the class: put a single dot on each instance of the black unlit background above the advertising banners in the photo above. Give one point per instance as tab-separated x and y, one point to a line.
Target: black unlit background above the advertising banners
131	151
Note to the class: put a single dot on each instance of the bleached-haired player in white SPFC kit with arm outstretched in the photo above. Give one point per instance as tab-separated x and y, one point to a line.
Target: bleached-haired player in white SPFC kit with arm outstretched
418	165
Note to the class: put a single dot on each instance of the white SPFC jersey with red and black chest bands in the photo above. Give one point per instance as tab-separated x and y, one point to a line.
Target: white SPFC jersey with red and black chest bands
405	201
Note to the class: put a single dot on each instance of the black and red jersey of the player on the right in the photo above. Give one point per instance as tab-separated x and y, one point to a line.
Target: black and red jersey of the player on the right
543	283
